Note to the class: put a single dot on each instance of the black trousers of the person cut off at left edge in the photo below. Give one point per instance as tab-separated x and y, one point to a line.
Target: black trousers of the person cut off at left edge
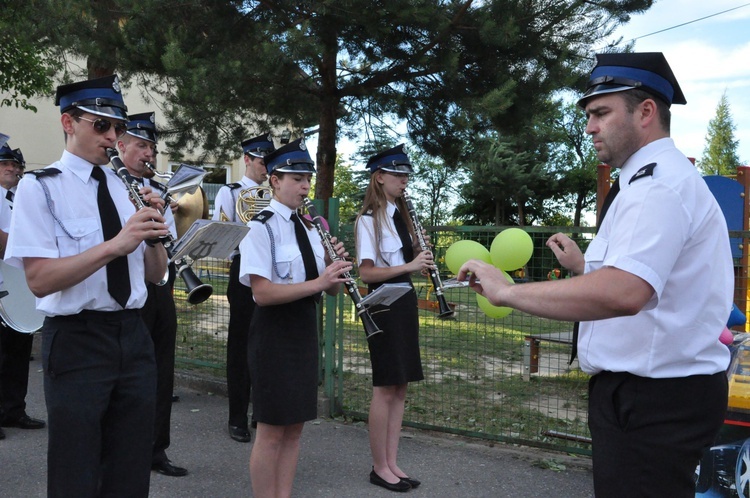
15	353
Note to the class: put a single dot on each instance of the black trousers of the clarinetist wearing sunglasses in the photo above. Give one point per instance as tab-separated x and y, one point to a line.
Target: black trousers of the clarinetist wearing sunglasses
100	389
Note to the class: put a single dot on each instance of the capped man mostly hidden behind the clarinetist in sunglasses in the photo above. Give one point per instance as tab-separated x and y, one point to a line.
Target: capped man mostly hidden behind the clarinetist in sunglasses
138	147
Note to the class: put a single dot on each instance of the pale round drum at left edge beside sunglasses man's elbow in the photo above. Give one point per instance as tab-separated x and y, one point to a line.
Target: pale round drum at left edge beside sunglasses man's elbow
18	308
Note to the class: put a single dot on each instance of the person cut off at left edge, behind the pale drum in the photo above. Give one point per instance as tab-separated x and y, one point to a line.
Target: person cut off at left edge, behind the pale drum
15	346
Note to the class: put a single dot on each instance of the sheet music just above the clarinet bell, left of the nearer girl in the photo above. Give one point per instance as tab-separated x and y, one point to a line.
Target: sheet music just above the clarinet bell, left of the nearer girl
209	238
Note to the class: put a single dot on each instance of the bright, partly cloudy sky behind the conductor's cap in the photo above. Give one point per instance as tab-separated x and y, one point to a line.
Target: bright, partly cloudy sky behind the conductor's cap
708	57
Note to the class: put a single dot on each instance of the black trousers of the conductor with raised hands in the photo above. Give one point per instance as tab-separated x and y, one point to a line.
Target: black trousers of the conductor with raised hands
648	434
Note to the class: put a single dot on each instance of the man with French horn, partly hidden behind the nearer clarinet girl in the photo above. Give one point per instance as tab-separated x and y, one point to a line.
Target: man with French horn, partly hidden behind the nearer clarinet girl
240	297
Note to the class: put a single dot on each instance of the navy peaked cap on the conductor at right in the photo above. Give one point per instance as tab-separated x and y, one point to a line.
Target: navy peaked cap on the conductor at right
648	71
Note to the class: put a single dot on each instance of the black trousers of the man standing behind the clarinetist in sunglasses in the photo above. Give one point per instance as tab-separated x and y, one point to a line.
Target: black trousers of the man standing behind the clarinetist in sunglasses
160	316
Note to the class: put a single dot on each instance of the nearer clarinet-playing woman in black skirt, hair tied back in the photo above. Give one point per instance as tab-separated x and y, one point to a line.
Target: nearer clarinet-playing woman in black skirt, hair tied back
285	262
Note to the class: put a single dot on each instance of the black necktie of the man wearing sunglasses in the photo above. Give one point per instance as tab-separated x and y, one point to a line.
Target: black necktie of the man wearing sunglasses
118	277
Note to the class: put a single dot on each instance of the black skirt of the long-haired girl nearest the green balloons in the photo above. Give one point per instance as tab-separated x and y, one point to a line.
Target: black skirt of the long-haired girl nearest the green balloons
394	354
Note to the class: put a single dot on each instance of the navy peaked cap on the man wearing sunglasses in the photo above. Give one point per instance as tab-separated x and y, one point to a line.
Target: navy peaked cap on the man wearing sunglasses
100	96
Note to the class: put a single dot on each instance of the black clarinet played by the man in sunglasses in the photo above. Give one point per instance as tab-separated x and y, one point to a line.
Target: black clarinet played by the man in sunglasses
197	291
